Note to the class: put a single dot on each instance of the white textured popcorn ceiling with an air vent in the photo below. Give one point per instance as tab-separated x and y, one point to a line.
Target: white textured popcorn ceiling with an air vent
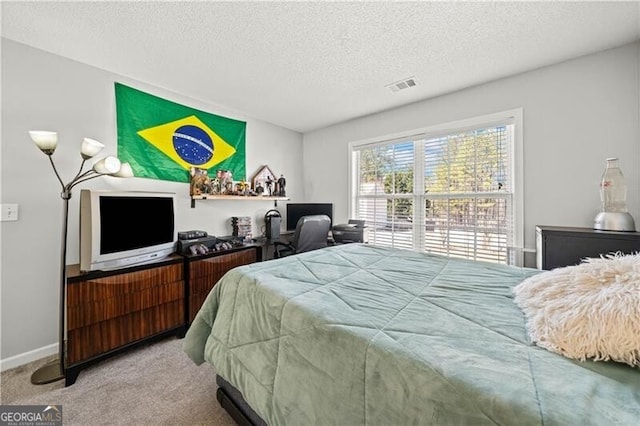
306	65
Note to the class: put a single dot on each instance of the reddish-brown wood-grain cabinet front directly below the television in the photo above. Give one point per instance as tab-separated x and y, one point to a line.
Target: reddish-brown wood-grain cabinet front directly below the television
109	312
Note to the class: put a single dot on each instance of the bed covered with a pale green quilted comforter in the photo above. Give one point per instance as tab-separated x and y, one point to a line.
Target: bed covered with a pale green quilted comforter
356	334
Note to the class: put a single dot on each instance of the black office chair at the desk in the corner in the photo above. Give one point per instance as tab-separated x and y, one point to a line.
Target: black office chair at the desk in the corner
311	234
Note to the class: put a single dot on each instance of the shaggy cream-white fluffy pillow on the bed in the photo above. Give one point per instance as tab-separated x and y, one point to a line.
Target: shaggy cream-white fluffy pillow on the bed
591	310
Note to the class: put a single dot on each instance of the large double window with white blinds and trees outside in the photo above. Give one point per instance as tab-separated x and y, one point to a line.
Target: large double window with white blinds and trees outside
450	190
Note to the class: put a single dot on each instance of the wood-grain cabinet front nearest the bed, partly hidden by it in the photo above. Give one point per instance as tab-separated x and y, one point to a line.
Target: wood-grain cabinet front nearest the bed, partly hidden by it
205	273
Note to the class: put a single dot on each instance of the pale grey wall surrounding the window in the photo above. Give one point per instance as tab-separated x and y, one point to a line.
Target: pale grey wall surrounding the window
576	114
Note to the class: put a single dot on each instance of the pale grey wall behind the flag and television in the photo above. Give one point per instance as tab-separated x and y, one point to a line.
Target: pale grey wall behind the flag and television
41	91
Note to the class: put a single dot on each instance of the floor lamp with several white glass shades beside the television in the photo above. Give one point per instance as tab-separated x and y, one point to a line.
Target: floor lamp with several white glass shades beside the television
109	166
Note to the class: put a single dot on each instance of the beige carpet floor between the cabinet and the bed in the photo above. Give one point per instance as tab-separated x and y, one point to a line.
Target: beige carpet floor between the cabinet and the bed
155	384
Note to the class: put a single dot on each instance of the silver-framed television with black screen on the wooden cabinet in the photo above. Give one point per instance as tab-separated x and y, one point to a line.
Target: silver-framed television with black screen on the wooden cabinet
122	228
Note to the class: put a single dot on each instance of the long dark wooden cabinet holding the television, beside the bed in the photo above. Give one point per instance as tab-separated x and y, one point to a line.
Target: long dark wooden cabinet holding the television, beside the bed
109	312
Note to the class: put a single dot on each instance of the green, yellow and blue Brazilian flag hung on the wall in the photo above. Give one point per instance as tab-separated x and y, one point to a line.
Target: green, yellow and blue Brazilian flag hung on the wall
163	140
